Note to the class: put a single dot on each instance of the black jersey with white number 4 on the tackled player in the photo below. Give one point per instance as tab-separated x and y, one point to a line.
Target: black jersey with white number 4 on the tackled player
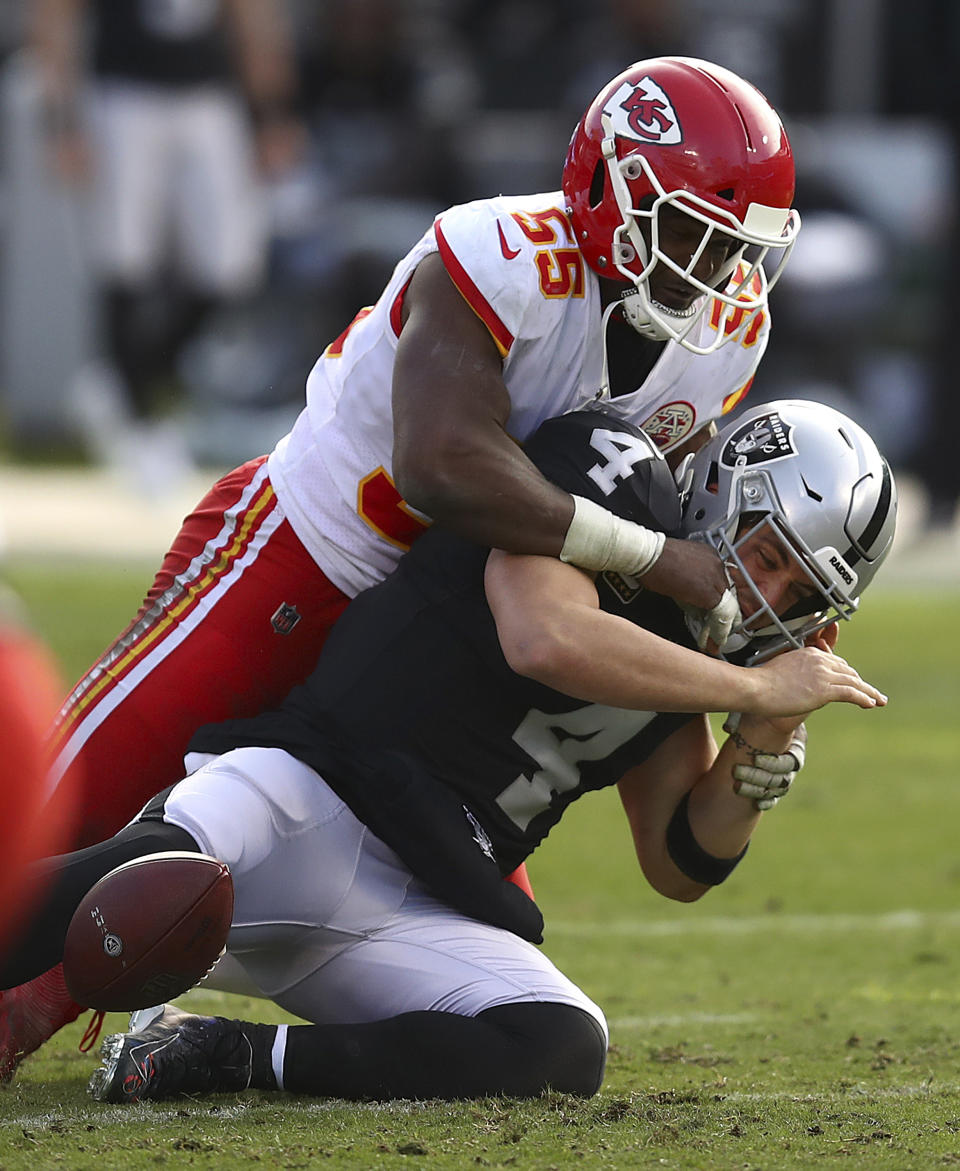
413	715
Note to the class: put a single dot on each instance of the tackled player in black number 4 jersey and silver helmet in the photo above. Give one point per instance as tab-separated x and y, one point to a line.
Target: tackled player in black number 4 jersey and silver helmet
457	711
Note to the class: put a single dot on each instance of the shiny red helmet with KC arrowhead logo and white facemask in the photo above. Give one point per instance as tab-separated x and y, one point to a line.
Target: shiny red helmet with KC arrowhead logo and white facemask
692	136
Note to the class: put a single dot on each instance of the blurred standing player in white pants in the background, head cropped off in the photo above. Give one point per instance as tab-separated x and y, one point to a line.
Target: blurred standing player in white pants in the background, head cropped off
170	117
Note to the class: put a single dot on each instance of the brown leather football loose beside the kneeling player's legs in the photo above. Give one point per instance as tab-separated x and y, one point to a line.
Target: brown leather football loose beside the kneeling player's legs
148	932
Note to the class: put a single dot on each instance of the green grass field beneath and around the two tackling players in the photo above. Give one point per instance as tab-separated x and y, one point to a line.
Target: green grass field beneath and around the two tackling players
805	1016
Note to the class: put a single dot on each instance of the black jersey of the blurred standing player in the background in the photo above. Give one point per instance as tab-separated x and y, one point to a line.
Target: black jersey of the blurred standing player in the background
162	43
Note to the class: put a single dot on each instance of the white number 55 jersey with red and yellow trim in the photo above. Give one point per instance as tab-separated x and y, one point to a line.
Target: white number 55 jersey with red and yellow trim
516	262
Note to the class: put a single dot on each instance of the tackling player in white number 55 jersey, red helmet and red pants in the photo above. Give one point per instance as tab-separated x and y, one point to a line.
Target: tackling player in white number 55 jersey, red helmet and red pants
641	284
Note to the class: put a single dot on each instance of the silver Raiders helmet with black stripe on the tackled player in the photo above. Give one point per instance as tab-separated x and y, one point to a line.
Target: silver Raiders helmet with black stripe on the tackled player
818	481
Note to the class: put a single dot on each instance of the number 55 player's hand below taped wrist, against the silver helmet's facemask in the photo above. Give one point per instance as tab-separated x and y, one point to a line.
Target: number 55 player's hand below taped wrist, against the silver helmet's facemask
695	577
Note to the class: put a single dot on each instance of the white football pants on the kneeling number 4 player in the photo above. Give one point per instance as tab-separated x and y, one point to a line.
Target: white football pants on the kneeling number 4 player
328	921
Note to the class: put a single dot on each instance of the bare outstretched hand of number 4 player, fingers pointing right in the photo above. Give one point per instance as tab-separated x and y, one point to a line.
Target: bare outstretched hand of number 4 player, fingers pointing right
800	682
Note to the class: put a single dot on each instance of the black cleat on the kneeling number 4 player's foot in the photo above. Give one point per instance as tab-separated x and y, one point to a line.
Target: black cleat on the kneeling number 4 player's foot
170	1052
